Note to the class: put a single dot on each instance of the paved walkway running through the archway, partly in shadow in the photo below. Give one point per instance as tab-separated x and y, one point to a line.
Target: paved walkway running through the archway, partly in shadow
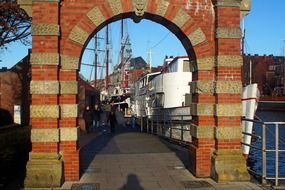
130	160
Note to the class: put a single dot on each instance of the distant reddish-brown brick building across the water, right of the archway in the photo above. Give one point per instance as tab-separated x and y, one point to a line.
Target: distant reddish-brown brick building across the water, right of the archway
267	72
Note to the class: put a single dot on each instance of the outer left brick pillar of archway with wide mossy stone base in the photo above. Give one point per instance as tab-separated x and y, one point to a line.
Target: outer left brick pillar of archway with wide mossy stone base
44	168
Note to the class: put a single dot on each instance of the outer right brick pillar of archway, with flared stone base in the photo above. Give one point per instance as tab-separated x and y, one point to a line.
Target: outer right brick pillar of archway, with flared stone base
228	163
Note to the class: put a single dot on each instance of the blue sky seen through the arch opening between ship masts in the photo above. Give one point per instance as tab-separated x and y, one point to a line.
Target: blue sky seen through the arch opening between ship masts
143	36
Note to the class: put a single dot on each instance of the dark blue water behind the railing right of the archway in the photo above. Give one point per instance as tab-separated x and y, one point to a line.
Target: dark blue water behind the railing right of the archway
255	156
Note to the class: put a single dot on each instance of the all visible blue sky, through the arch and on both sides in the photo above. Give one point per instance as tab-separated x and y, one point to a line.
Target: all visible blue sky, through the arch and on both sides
265	34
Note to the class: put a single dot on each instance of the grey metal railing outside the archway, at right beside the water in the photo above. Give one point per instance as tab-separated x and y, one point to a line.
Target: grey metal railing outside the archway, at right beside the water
265	149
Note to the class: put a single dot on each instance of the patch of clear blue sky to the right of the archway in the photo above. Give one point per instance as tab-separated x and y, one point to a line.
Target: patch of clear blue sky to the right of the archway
265	27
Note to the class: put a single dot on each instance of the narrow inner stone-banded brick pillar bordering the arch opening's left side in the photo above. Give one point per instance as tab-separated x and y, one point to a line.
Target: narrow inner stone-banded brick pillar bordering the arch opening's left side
69	130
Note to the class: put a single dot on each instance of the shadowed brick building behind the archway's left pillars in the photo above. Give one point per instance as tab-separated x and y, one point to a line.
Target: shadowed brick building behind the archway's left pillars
14	90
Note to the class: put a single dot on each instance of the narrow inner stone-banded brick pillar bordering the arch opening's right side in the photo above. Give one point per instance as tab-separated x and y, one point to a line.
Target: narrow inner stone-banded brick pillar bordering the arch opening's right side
202	111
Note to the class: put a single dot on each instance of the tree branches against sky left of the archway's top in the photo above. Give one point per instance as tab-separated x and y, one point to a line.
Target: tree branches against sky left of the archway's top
15	23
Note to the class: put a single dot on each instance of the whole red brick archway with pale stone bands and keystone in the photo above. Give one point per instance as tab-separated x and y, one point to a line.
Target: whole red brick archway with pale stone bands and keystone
210	33
